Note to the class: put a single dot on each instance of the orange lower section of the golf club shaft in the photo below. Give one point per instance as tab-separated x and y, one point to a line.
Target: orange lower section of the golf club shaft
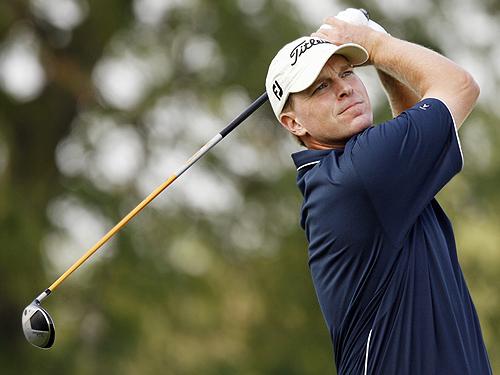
113	231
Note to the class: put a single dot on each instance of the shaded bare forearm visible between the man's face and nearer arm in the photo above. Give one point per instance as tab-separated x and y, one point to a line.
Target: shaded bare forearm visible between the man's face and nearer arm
400	97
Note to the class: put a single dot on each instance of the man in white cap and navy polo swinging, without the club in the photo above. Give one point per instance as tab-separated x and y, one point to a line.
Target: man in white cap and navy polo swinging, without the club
381	250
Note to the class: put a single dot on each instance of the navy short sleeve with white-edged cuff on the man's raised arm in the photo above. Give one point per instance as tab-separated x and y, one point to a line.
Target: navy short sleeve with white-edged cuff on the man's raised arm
404	162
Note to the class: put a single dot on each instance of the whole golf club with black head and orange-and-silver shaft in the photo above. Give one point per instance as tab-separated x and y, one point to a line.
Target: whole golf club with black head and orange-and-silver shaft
37	324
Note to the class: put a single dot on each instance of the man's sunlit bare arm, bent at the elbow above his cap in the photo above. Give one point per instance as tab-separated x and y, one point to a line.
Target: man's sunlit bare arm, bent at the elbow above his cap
423	71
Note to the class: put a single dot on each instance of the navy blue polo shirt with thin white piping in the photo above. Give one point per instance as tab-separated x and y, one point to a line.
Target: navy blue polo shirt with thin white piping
382	252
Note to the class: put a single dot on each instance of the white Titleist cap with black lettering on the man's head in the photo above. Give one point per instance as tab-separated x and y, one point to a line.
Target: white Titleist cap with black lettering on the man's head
298	64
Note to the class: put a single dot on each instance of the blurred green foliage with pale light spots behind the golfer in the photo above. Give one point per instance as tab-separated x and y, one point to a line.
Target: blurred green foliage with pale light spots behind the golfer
100	101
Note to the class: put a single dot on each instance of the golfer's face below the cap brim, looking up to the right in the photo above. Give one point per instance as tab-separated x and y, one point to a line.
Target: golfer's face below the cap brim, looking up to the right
335	107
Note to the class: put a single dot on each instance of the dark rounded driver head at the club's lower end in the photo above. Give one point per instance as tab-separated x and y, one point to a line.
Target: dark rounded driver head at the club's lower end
38	326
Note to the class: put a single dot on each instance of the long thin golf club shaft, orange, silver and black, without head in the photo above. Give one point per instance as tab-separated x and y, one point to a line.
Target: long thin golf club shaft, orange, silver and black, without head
193	159
